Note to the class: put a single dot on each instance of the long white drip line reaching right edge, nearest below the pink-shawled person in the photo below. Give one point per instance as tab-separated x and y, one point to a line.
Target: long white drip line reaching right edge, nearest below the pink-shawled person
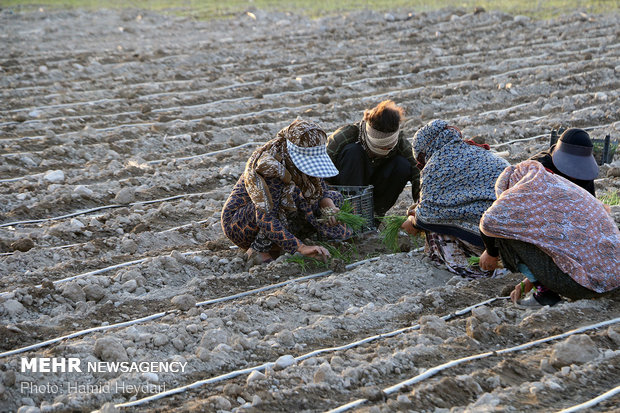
432	371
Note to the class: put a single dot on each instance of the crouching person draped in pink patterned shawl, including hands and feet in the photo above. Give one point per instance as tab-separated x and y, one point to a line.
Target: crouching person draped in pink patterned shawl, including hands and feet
554	232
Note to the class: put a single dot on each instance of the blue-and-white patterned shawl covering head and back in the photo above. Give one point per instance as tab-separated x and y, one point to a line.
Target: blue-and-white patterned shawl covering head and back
457	181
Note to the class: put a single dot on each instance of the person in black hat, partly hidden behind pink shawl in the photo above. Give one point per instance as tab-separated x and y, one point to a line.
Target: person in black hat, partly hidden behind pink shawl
571	157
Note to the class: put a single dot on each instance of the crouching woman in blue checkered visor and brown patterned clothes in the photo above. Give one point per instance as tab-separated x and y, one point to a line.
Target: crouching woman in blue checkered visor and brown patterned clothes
280	195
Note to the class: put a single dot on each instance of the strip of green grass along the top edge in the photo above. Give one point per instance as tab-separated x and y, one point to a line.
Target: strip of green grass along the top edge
230	8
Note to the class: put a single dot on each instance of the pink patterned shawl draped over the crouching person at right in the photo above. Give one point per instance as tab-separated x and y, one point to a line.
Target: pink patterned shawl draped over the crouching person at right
560	218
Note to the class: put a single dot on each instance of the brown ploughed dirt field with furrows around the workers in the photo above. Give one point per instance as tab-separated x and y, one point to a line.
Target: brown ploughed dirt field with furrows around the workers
111	186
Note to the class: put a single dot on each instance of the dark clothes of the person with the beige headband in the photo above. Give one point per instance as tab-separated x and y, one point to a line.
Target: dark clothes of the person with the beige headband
388	177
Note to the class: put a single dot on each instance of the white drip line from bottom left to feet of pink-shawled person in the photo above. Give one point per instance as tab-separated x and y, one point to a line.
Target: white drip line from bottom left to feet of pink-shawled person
264	366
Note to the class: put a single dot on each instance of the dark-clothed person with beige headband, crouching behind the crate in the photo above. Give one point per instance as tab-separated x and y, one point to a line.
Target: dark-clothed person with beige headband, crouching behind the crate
375	152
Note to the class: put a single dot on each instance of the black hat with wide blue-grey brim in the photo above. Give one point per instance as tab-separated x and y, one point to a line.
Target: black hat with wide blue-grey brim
573	155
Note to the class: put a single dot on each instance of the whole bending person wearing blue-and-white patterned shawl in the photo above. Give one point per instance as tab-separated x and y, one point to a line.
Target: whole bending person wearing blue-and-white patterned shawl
456	187
